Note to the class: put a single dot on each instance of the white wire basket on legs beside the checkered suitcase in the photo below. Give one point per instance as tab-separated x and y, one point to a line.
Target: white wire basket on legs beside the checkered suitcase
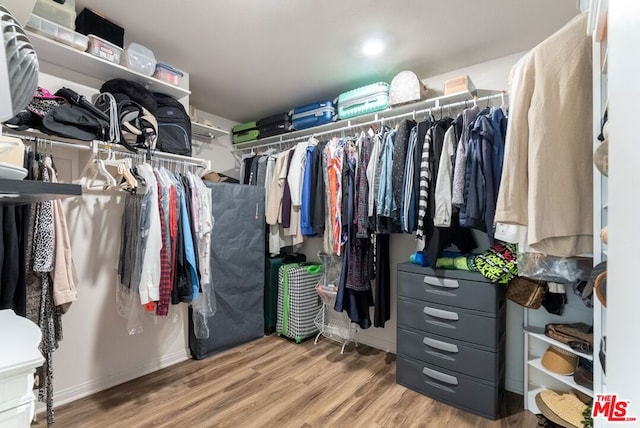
333	325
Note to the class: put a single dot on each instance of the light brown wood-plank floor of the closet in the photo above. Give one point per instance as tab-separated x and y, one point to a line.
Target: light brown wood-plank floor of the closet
272	382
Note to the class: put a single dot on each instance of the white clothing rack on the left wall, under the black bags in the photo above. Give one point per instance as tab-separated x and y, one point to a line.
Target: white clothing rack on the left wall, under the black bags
96	147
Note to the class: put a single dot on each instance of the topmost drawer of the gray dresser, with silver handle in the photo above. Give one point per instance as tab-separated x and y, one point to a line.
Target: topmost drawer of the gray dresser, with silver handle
477	295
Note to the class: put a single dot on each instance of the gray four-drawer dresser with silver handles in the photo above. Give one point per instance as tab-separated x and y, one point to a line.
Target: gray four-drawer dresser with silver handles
451	337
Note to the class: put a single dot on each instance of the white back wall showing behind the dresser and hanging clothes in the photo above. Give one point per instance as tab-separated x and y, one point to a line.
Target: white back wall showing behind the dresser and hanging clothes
487	75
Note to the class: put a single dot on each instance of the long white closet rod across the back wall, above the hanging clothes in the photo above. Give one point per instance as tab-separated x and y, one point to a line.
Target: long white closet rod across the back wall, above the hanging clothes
350	126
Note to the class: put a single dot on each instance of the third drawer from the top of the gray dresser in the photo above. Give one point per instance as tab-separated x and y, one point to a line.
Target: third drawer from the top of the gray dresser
450	354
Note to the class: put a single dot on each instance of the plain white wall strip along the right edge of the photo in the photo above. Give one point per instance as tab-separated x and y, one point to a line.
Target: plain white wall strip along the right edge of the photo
623	293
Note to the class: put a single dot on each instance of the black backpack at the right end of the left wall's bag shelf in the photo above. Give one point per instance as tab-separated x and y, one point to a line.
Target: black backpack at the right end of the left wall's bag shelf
174	126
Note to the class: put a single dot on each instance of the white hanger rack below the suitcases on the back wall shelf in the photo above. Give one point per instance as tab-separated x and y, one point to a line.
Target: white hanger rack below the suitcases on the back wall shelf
435	106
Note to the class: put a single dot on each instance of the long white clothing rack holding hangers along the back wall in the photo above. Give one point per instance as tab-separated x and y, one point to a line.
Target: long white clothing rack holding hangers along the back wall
378	118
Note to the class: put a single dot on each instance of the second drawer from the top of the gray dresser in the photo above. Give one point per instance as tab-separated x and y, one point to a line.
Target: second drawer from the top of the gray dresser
452	322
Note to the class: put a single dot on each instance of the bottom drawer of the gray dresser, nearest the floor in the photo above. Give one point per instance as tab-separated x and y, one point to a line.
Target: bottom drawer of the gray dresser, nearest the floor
449	387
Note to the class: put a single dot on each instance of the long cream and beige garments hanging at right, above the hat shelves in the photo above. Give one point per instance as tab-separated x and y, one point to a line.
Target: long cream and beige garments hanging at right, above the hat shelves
547	177
